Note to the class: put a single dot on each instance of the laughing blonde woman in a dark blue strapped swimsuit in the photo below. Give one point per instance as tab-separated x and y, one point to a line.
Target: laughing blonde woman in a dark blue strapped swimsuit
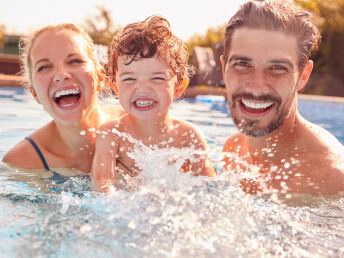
63	74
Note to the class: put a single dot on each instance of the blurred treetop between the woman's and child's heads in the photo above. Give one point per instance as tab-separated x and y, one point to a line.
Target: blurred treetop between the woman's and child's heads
101	27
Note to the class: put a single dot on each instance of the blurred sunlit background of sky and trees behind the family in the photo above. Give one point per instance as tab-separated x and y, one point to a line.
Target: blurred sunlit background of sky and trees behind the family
200	24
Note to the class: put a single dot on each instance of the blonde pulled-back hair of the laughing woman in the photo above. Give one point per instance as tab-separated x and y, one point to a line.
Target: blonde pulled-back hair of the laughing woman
26	44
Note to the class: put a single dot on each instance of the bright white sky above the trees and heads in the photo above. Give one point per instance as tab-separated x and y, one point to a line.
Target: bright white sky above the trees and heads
187	17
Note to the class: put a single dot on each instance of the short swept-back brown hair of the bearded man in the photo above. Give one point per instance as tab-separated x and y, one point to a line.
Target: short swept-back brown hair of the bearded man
276	15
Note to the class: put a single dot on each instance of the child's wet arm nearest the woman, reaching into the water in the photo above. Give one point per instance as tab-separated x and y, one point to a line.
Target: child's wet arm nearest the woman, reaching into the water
104	161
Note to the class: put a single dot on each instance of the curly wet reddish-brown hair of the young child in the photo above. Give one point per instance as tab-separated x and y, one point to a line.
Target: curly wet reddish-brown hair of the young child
149	38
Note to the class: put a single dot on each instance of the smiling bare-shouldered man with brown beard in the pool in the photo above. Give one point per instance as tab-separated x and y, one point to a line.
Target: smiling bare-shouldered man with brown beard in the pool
265	64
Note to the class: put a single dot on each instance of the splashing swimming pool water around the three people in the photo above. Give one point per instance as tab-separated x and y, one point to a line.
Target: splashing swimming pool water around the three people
171	214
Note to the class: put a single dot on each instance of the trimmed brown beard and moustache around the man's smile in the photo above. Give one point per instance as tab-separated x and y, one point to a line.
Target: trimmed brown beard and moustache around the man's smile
250	127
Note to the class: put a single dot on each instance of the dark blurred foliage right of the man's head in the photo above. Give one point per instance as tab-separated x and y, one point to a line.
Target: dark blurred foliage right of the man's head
328	70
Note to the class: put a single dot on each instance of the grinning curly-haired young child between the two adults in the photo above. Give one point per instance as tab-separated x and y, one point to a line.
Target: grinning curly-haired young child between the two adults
148	68
